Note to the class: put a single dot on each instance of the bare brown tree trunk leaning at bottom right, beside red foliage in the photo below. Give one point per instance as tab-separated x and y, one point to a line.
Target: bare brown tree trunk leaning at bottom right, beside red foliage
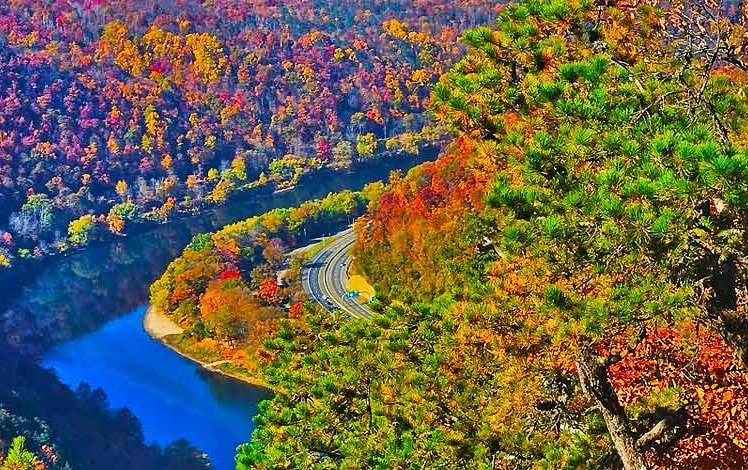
594	378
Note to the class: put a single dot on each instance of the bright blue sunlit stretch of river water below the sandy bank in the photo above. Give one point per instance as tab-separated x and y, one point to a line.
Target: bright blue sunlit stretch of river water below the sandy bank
173	397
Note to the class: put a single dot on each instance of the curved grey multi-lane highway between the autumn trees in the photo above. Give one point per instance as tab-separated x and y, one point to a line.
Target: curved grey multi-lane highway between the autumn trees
324	276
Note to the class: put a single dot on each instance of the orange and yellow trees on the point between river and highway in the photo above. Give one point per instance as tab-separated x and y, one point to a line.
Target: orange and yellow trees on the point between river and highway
224	289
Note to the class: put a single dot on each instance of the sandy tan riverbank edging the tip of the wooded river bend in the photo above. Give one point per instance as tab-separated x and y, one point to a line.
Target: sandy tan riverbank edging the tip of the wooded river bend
160	327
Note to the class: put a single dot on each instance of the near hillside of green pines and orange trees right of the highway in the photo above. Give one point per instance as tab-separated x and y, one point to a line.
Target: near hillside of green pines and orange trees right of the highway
566	286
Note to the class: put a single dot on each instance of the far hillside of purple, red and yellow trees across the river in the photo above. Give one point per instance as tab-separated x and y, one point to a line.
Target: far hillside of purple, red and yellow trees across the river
115	112
